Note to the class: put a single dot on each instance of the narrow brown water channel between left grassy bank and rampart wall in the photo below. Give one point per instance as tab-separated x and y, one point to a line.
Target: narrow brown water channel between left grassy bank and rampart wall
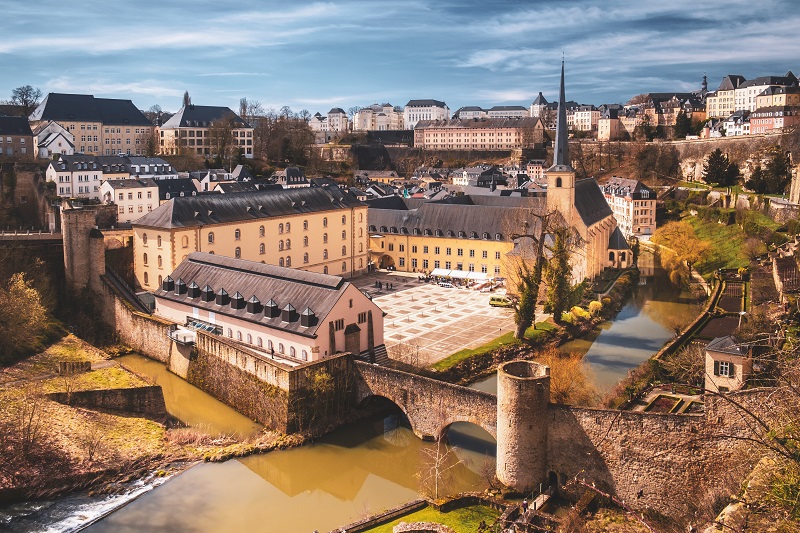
189	404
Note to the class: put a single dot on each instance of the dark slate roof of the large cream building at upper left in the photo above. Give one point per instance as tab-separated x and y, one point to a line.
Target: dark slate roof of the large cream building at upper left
87	108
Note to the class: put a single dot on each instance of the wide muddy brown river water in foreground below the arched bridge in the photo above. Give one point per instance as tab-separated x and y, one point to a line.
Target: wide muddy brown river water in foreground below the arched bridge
355	471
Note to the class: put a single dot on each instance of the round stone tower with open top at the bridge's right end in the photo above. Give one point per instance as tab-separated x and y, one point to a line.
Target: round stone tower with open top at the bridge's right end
523	392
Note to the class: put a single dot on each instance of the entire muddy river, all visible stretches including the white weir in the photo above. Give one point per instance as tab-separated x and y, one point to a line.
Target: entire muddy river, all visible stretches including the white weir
353	472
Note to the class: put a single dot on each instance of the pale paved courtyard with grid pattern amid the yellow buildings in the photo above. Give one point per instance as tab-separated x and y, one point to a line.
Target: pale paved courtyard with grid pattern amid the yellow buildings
425	323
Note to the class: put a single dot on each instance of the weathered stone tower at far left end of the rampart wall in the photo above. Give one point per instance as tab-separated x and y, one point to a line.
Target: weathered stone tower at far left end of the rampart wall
84	251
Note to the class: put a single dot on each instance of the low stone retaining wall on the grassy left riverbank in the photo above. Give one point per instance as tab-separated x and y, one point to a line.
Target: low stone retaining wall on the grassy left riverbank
147	400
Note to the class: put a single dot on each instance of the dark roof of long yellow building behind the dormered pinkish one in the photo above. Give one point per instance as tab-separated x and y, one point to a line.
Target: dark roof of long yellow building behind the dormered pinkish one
189	211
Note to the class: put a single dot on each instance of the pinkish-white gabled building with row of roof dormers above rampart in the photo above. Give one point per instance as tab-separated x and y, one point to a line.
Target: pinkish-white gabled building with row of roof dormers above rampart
293	315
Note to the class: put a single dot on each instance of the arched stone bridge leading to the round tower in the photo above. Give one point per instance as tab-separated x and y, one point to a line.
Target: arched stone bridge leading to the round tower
430	405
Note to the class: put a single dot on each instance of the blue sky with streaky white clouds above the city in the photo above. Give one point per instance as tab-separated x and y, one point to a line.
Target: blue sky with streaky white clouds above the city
318	55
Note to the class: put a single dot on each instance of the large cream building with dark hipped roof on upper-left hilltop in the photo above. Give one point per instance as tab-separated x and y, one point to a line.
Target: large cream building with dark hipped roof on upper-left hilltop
100	126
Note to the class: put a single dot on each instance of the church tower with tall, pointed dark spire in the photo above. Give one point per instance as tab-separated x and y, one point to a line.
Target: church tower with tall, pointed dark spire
561	176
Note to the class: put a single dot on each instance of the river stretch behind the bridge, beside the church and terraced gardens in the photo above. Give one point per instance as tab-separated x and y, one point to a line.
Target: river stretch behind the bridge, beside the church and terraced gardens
646	322
